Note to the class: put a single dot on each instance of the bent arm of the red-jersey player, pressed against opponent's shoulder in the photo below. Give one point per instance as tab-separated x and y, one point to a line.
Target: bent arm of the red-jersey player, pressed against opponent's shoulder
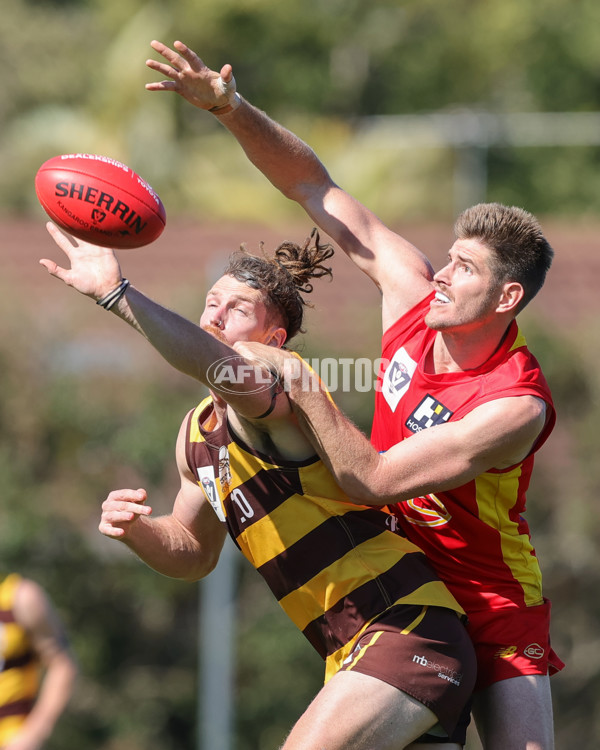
495	435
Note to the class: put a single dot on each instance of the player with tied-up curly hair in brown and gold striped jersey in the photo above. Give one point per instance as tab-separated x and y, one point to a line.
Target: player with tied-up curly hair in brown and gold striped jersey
398	660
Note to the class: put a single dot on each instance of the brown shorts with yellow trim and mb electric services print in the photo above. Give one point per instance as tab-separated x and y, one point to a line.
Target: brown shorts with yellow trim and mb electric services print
426	653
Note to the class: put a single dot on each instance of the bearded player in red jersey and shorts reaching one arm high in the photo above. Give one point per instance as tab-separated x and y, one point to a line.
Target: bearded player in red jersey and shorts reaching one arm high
461	384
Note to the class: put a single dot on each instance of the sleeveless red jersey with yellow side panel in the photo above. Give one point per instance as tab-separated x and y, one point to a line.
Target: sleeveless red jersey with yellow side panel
475	535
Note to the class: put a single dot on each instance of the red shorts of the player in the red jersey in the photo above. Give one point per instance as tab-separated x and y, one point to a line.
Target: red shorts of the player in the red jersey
512	642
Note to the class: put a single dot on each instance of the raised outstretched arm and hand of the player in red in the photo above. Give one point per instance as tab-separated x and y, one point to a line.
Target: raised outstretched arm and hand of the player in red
400	270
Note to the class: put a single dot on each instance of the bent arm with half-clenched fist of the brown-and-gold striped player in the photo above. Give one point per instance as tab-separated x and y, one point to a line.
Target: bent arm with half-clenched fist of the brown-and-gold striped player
185	544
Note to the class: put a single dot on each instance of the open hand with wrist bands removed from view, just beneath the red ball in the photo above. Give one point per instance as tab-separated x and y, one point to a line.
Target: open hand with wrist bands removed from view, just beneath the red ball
94	270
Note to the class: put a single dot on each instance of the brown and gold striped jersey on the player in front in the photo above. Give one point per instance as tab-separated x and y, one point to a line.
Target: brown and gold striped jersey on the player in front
333	566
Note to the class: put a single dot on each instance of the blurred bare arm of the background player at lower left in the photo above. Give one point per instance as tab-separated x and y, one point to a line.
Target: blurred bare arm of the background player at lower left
35	613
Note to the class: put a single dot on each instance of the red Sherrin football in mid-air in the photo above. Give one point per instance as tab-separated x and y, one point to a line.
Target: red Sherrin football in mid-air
100	200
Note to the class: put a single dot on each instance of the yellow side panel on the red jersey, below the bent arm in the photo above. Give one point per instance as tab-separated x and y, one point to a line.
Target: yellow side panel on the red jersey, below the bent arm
516	547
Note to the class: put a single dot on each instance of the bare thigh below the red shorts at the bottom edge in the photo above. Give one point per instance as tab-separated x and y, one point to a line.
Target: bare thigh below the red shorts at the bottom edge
515	713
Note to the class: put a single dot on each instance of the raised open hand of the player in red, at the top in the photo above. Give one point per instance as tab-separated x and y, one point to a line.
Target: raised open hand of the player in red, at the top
191	78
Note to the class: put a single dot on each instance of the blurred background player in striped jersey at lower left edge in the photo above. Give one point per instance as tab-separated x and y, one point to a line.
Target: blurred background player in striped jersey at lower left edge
37	670
